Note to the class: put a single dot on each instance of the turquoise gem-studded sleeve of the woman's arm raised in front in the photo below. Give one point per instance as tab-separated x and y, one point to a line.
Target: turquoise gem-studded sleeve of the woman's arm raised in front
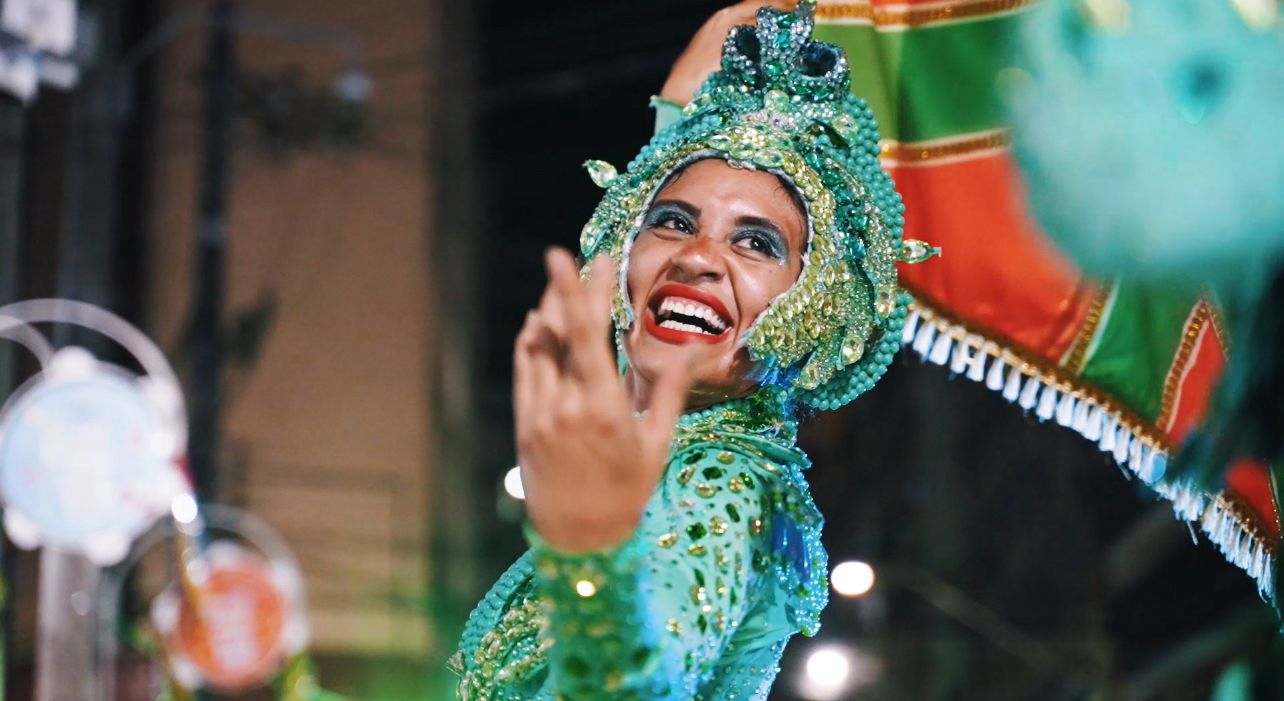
655	617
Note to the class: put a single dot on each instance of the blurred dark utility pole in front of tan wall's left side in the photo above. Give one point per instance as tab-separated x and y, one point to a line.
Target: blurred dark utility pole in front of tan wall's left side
207	338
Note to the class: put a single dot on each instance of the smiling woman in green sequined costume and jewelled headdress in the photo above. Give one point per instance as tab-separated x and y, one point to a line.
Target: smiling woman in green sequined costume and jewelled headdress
748	263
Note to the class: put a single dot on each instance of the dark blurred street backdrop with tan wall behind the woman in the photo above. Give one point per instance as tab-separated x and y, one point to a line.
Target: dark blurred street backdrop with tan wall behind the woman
359	195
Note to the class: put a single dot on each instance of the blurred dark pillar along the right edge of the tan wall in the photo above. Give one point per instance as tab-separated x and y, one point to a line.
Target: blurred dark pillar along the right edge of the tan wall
455	500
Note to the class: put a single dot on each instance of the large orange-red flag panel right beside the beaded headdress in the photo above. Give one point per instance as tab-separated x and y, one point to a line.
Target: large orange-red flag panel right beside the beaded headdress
997	269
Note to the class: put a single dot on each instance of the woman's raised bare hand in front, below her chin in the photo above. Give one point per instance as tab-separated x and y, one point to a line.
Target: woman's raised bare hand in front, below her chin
589	467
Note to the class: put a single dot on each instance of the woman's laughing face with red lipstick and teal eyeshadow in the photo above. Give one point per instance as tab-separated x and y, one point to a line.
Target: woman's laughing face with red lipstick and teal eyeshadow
716	248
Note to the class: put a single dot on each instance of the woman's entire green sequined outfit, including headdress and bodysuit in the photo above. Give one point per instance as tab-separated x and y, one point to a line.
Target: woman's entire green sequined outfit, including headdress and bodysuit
727	563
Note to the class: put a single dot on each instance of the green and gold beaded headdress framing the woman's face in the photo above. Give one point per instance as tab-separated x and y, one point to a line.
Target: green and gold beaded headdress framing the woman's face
783	103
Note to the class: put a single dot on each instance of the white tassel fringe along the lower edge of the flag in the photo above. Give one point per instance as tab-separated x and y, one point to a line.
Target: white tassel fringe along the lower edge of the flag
939	342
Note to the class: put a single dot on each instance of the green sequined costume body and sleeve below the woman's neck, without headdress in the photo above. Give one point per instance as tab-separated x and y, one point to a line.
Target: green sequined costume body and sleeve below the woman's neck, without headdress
725	568
